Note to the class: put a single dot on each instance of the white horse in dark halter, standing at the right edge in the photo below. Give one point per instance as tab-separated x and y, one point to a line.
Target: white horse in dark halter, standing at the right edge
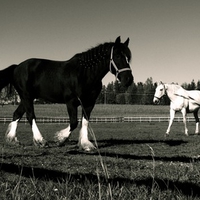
181	100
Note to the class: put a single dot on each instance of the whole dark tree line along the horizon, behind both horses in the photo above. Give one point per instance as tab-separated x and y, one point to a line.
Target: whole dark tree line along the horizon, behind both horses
113	93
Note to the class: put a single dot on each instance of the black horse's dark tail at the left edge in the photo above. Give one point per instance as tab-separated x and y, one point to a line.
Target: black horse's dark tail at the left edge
6	76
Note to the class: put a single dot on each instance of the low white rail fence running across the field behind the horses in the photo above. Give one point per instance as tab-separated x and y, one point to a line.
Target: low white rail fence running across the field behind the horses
60	120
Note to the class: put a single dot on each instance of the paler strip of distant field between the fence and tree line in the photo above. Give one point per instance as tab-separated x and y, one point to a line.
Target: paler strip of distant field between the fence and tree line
100	110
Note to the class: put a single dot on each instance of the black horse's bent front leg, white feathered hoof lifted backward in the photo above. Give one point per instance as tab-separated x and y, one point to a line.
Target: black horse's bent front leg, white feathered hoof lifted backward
62	135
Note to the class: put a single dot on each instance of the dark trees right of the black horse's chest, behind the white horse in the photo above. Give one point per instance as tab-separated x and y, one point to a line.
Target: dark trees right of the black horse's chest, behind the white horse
137	93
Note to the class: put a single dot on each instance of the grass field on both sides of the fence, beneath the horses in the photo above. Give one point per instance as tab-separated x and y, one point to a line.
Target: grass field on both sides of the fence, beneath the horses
133	161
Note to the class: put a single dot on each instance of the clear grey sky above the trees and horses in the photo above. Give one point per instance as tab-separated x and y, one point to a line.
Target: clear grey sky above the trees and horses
164	34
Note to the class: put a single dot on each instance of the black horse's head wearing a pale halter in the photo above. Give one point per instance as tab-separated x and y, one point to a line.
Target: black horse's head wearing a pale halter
120	62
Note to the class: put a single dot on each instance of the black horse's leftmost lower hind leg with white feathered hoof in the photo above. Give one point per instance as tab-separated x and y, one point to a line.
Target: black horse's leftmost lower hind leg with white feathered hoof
10	135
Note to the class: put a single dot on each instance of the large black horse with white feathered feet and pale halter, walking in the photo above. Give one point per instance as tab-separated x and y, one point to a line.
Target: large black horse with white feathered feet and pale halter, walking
75	82
